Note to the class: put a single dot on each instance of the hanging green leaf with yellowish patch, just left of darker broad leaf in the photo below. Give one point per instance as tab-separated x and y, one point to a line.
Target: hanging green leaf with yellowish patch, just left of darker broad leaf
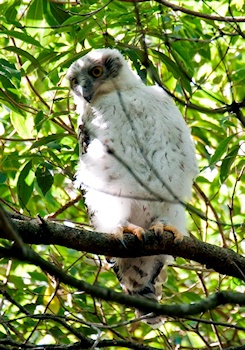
25	184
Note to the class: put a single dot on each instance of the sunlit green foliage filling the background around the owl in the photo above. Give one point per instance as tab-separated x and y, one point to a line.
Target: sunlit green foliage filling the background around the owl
197	53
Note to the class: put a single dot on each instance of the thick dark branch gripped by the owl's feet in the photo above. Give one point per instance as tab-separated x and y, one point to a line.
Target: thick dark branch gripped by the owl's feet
36	231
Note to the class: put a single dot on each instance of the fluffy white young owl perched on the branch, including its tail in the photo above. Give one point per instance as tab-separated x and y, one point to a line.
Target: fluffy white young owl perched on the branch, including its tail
137	161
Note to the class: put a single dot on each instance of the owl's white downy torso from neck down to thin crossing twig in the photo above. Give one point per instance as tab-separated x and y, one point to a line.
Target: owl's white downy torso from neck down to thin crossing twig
135	144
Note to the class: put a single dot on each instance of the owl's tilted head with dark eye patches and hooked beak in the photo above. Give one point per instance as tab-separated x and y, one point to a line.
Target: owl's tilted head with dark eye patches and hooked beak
100	72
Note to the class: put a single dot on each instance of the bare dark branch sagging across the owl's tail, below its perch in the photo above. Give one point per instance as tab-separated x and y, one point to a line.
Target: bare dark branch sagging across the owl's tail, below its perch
181	310
